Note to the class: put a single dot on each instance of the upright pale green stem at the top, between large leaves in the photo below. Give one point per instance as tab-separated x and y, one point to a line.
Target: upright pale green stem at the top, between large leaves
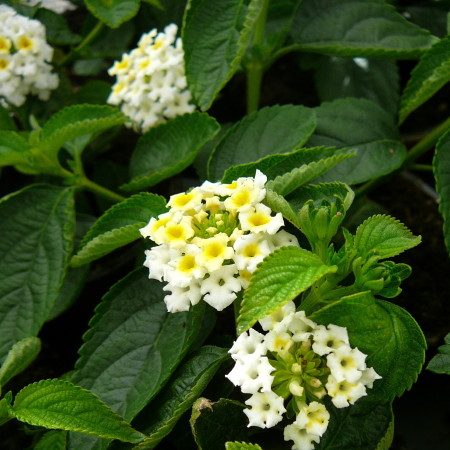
255	65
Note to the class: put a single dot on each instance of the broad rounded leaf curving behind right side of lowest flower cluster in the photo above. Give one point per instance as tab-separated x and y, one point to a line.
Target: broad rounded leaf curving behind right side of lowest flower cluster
387	334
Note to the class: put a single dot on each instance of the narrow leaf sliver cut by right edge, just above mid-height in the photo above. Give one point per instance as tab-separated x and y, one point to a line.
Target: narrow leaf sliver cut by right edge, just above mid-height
441	164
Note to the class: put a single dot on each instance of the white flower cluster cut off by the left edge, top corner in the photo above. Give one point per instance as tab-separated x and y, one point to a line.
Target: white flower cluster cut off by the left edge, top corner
24	58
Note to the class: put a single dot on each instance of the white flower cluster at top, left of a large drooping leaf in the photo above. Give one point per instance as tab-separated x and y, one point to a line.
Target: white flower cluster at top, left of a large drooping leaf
151	85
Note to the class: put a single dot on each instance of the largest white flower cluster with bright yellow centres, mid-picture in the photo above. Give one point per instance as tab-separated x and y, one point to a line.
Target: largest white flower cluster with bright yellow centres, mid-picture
211	240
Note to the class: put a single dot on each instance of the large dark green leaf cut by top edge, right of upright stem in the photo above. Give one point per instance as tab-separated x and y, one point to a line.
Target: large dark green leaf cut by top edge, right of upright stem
357	28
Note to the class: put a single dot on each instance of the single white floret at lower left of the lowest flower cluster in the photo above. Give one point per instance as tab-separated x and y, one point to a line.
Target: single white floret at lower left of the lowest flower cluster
266	411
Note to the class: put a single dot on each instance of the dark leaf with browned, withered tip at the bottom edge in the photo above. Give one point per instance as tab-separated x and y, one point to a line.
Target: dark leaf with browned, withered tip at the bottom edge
213	424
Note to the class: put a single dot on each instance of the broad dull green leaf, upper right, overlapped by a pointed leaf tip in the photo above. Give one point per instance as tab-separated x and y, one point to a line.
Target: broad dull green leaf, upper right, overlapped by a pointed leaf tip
361	126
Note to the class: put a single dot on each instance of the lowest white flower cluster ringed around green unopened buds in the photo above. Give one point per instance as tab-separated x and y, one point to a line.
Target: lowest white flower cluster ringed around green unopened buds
292	367
